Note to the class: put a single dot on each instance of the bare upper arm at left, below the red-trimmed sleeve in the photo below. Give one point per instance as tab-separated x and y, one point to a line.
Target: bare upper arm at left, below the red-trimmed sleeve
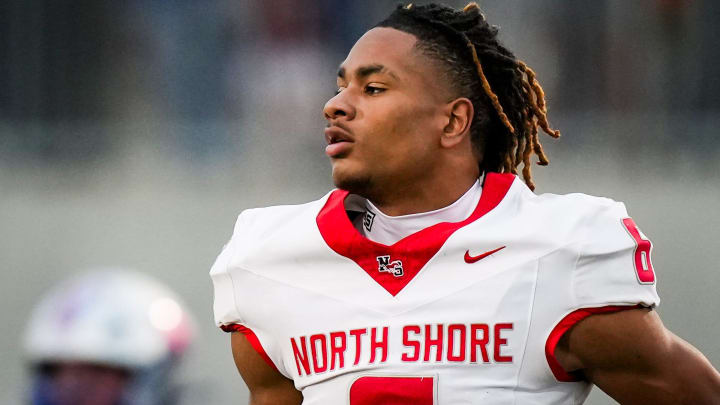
267	386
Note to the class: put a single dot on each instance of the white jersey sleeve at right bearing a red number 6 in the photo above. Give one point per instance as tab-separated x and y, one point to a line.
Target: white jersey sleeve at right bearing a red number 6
614	266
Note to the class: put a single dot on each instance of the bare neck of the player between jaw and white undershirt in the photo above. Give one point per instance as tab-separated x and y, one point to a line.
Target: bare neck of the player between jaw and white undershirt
417	197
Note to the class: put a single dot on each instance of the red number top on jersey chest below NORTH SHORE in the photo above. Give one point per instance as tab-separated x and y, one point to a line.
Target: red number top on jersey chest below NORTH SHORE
386	390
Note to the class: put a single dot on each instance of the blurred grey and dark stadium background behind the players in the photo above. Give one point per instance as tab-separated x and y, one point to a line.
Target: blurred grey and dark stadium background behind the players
133	132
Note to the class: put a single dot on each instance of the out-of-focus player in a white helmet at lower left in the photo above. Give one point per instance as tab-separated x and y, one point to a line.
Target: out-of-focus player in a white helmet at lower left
108	337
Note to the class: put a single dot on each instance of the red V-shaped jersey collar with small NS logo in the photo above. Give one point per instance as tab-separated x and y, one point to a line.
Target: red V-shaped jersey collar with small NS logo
412	252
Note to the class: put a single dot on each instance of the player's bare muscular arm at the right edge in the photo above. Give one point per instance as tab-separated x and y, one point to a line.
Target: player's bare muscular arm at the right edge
633	358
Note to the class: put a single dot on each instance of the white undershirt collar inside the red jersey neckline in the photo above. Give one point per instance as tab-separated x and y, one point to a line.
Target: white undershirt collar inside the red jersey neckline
385	229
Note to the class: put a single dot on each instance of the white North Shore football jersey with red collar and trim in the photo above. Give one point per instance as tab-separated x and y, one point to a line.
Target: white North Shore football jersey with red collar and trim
457	313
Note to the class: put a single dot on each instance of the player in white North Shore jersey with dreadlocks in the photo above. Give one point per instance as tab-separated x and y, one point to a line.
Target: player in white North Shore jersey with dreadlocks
434	275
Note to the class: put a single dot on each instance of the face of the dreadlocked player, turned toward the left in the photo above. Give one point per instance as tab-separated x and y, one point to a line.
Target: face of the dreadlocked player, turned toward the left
384	124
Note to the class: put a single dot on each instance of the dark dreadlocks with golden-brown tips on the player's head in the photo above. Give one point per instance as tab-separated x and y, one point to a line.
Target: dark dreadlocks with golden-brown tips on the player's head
508	101
